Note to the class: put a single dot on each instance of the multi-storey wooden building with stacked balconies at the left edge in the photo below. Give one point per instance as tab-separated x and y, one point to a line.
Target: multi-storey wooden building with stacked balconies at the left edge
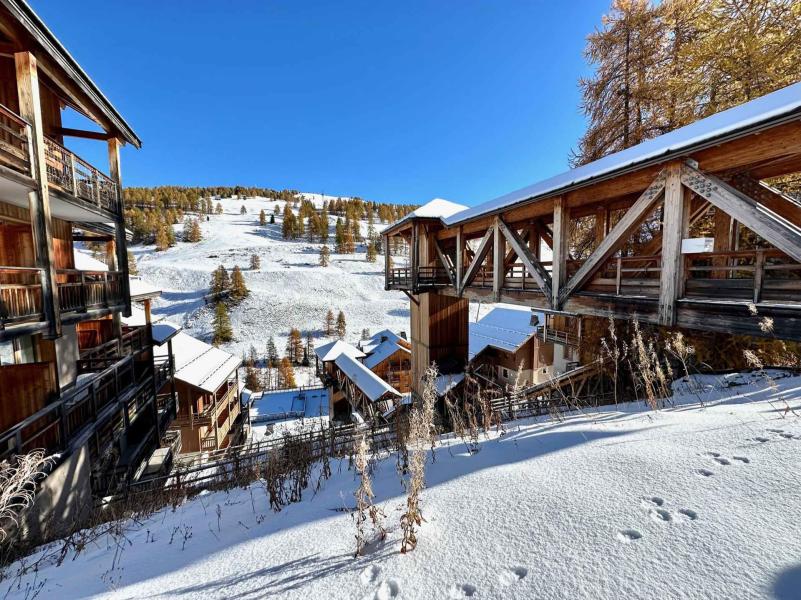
74	379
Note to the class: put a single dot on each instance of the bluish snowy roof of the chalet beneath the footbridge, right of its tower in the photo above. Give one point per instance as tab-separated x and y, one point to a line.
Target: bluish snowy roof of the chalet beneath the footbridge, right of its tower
504	327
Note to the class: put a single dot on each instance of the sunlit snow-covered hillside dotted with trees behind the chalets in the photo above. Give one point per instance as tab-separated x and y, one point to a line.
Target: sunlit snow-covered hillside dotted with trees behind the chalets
289	290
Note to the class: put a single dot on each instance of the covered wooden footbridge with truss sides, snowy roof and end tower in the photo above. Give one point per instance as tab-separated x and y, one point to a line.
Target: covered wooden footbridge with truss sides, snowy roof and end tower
683	230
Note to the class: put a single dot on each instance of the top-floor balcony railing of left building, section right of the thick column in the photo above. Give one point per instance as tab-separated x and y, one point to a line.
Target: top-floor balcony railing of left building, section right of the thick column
75	176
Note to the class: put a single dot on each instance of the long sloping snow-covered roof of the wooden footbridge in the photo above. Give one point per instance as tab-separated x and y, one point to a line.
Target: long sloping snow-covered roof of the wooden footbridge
769	109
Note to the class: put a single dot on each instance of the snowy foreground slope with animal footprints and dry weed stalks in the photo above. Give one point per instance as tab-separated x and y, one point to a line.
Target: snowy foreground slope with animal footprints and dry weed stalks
698	500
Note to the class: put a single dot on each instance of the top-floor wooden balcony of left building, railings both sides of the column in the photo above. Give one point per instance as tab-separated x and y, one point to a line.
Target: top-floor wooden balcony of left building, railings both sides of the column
67	173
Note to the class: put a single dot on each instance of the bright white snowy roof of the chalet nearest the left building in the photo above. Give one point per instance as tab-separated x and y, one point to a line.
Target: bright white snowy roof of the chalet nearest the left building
198	363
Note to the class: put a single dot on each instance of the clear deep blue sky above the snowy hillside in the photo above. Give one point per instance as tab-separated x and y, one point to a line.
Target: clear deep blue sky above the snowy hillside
392	101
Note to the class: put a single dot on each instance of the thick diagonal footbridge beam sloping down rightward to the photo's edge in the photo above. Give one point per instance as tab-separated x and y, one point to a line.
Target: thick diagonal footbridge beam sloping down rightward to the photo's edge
766	224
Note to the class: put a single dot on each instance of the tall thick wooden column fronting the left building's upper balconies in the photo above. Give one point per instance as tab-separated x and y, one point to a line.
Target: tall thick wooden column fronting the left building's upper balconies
30	108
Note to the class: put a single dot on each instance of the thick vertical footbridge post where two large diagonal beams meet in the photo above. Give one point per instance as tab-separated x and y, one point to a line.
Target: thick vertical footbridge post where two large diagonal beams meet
672	275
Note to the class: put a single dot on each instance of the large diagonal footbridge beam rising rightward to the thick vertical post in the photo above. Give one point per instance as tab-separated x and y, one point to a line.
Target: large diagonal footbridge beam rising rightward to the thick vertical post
620	232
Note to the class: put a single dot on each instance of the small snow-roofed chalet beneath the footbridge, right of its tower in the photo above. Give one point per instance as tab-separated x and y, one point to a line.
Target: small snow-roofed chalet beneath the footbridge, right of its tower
509	337
